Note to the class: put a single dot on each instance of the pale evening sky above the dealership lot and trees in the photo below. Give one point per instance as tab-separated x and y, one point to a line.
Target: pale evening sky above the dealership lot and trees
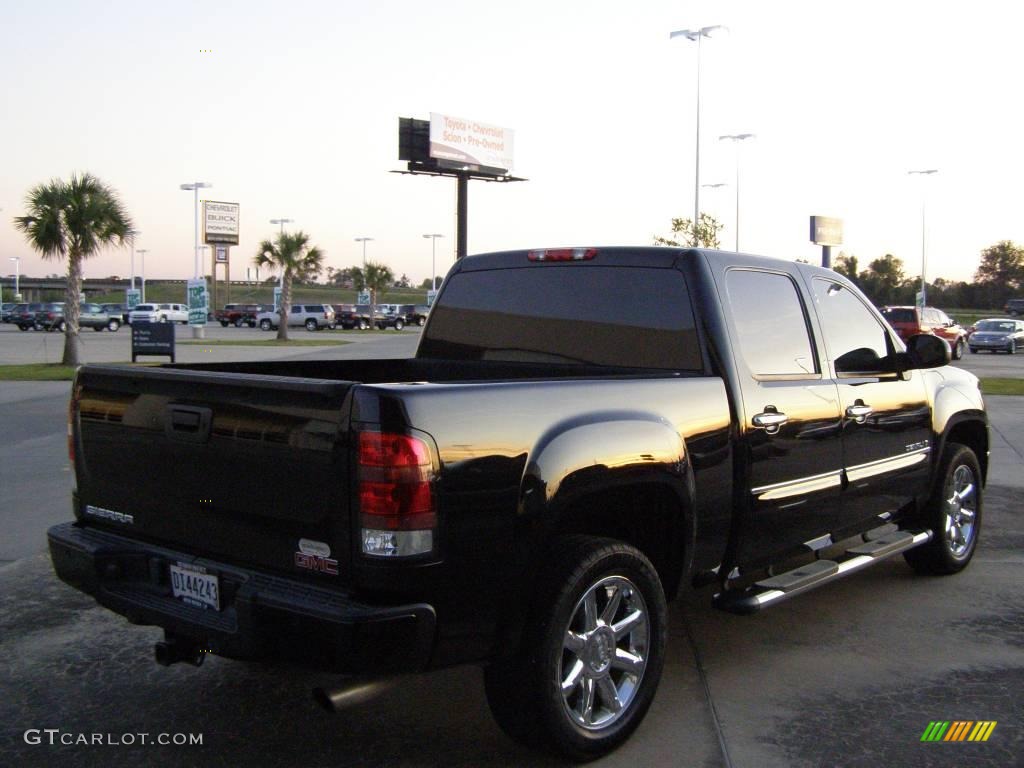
294	114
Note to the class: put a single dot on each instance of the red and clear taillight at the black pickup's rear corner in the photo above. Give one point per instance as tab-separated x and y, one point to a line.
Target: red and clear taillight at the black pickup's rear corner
397	500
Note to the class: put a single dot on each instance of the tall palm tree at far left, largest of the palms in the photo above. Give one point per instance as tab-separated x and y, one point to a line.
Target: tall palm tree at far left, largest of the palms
75	221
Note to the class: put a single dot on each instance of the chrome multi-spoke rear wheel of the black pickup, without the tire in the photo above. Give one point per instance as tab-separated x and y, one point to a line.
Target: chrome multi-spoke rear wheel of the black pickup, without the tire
605	654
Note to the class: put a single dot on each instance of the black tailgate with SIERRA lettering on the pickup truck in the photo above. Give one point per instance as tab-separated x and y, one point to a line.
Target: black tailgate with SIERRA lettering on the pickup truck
240	467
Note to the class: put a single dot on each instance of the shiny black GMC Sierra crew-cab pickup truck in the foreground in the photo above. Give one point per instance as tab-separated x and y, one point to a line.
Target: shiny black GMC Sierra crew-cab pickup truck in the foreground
582	434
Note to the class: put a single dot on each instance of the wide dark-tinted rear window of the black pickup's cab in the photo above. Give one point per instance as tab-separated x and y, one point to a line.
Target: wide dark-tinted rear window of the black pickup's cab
632	318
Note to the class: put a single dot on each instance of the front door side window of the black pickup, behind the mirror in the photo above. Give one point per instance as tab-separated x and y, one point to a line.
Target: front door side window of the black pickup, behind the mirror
856	340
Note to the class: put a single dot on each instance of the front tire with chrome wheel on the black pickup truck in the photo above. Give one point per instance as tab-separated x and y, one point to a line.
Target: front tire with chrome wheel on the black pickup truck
954	514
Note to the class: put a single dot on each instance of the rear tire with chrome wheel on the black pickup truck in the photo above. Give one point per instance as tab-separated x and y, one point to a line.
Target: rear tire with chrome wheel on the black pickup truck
592	652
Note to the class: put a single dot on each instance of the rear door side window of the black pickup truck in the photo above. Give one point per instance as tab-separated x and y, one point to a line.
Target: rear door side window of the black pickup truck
770	318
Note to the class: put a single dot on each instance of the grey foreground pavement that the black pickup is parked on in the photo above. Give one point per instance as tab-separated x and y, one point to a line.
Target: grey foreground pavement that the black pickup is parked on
850	675
